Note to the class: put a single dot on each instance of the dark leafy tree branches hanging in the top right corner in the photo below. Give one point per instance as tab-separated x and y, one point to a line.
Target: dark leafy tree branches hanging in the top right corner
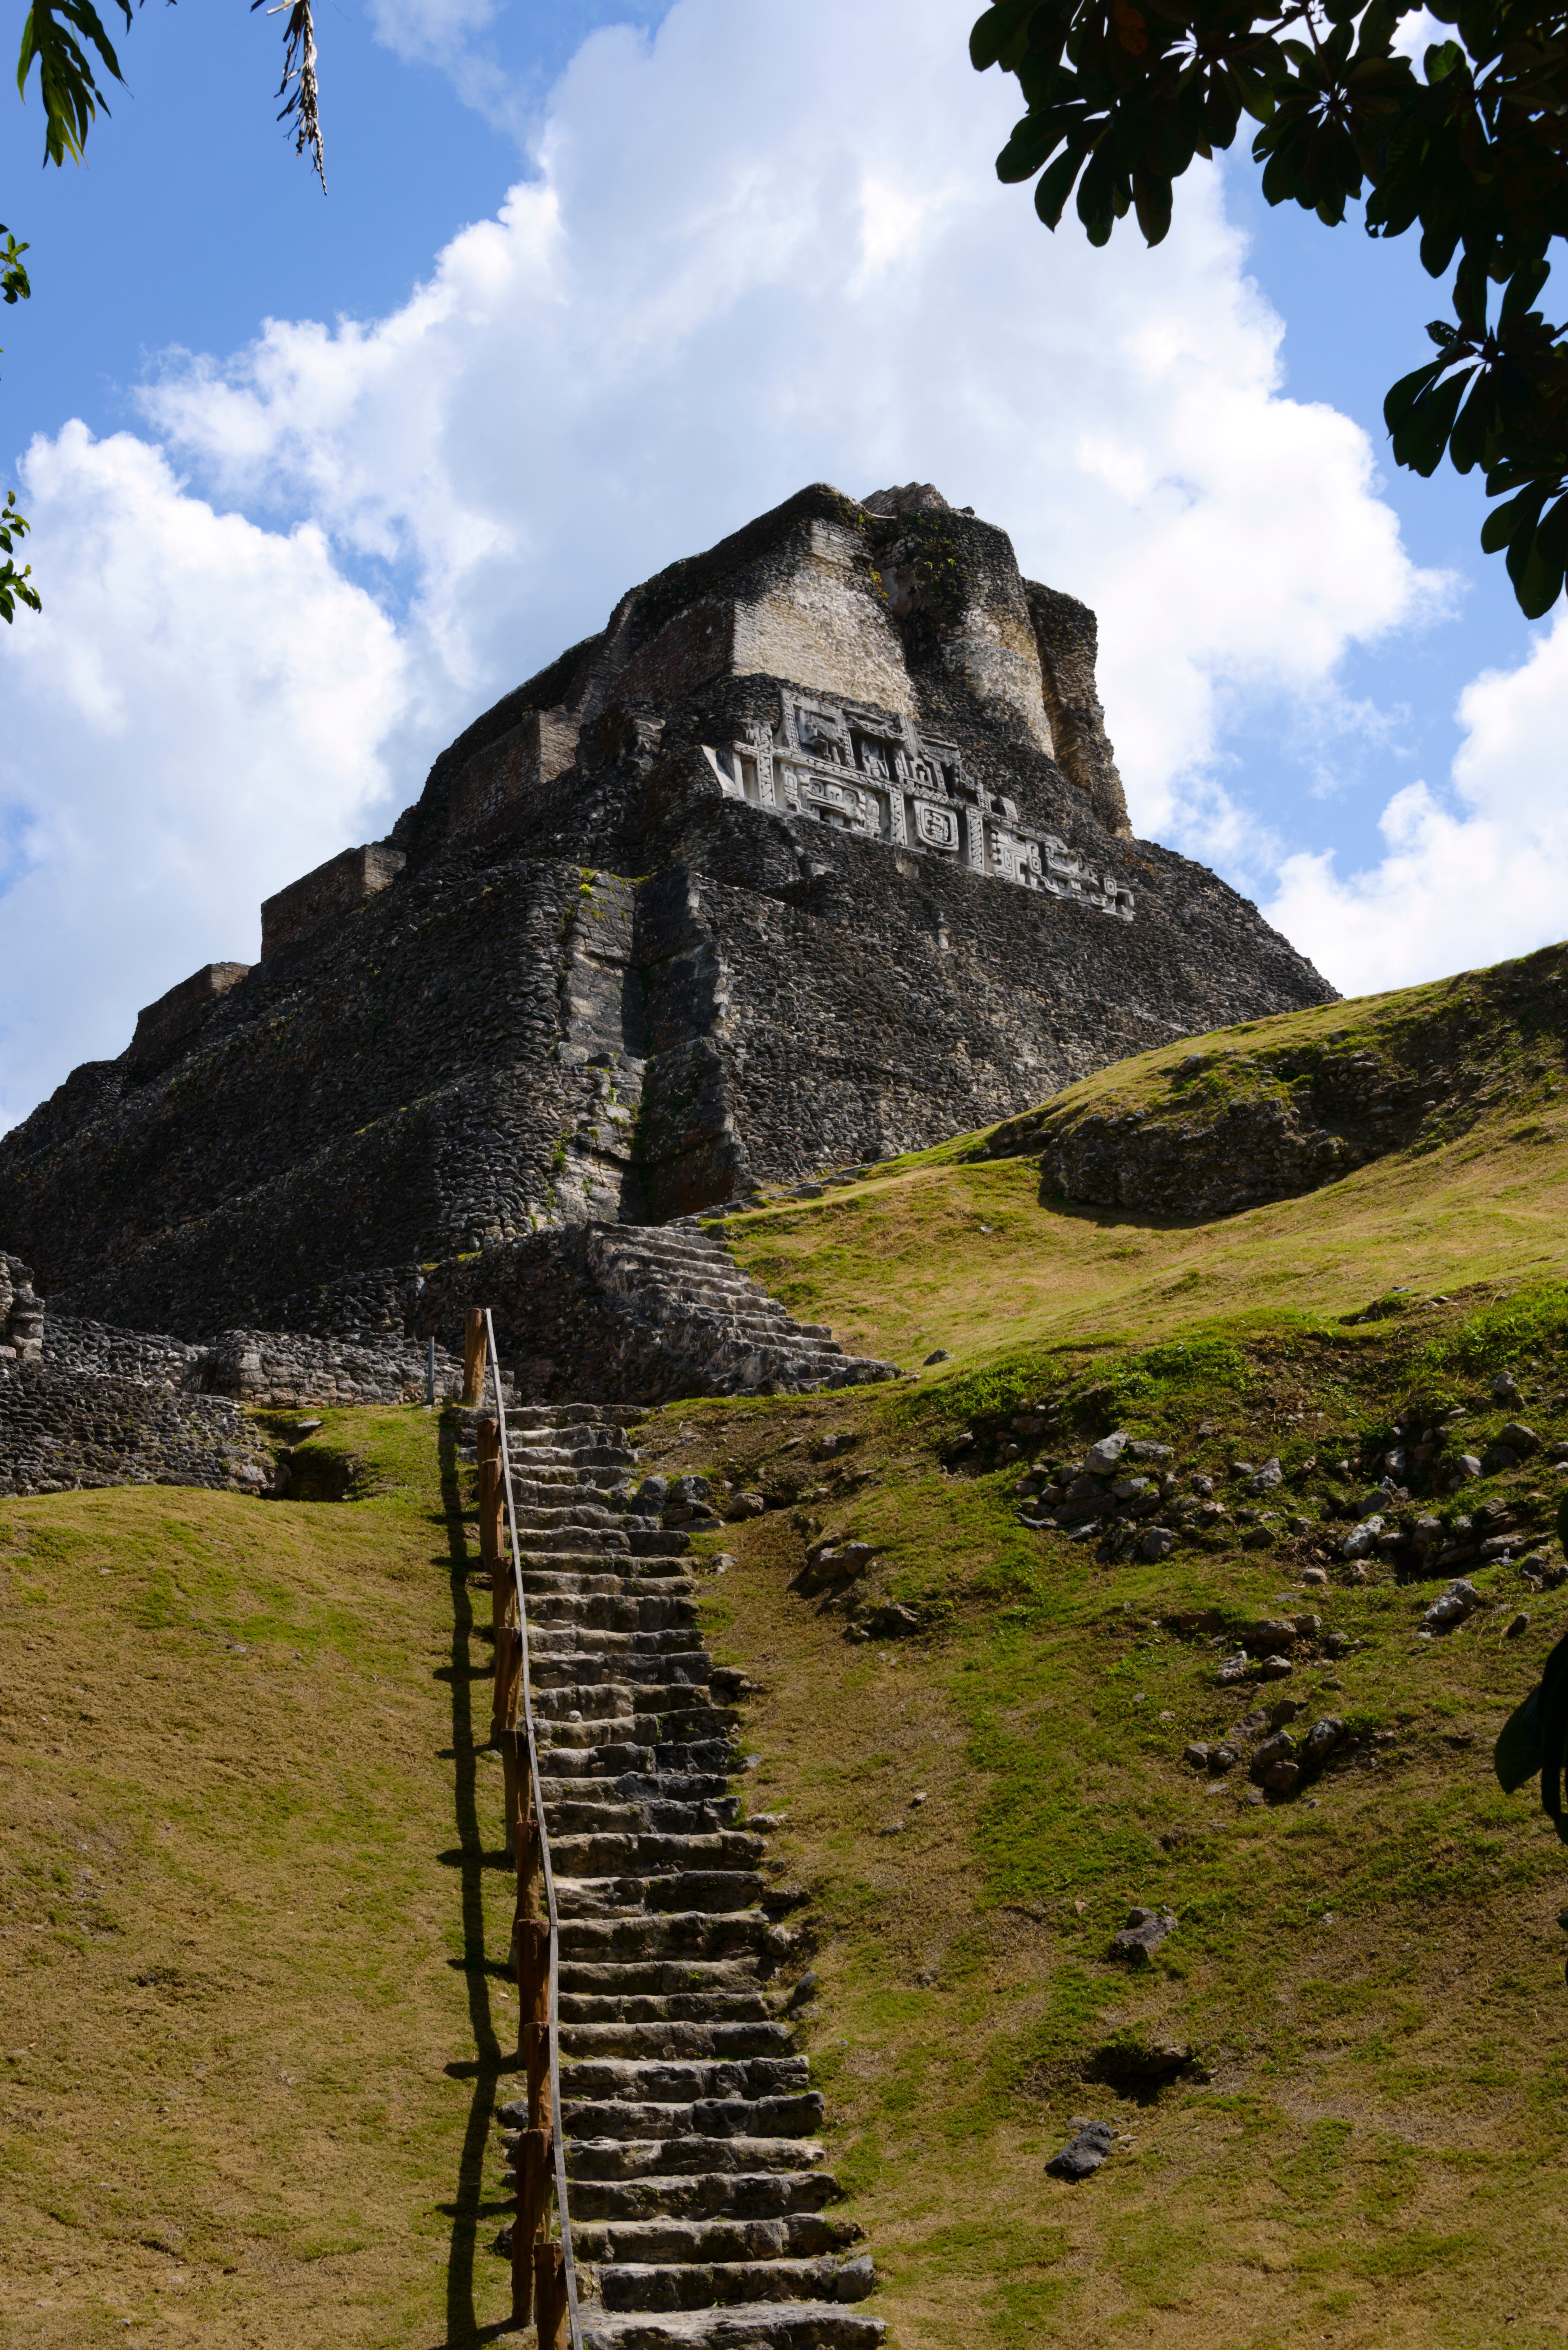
1473	152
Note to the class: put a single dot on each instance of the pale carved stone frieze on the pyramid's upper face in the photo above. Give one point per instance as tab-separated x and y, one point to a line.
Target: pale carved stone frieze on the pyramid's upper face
878	777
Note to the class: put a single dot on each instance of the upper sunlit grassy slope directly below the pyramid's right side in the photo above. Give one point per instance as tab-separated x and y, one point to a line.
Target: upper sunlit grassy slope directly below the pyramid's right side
904	1263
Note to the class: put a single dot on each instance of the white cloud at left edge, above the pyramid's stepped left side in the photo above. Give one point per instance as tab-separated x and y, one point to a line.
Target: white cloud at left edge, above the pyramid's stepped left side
192	723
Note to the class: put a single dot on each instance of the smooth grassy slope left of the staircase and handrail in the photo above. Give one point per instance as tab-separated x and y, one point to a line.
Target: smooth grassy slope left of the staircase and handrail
248	2036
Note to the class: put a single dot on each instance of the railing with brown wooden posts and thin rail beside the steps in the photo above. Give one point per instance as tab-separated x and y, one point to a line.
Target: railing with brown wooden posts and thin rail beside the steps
544	2274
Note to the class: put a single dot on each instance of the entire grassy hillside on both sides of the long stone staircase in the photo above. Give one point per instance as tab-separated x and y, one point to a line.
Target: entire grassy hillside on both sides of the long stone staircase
253	2010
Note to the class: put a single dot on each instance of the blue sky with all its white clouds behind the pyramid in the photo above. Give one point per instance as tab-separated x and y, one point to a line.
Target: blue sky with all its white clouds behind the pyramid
283	568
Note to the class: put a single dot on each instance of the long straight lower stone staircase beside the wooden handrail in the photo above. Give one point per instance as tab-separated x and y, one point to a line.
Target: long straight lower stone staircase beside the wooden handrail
697	2194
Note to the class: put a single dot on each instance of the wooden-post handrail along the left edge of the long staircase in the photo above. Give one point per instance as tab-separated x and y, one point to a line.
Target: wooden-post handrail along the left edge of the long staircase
532	1844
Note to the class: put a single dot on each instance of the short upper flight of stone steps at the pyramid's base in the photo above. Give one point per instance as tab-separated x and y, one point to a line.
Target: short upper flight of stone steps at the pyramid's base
718	1317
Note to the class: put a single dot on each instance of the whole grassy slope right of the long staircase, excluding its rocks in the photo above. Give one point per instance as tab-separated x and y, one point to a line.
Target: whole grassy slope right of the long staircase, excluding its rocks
1374	1973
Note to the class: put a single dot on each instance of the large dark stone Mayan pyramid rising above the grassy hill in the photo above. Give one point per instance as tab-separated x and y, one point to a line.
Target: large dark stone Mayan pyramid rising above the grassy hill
815	854
